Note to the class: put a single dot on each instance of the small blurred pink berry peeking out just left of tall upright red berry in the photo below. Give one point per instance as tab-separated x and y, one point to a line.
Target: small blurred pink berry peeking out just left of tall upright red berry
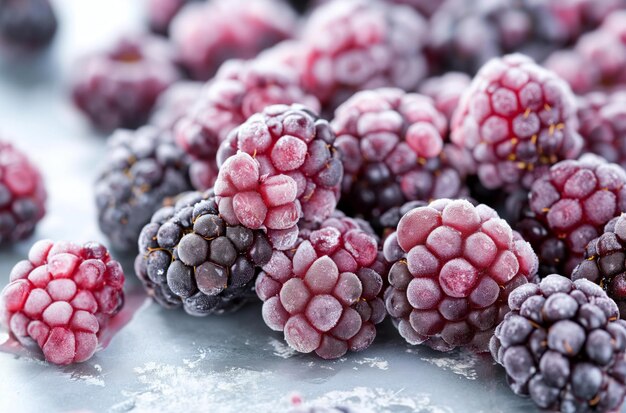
446	91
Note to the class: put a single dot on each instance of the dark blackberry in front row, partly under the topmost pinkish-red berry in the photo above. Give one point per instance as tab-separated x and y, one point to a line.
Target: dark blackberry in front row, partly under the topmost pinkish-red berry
190	256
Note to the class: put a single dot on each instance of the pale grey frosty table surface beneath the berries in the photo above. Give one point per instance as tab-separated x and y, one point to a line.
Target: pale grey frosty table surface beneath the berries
167	361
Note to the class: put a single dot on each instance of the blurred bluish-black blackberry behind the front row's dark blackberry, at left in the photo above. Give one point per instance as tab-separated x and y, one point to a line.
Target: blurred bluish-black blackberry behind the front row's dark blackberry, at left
142	169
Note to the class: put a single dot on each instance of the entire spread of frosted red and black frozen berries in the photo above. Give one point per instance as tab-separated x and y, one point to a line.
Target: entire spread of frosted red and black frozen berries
457	166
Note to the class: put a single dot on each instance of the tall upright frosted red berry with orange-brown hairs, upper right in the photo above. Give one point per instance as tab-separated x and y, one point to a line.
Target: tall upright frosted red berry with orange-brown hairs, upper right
517	119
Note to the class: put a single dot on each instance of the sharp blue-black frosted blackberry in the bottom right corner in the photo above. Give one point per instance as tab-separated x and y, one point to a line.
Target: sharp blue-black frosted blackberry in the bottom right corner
561	346
